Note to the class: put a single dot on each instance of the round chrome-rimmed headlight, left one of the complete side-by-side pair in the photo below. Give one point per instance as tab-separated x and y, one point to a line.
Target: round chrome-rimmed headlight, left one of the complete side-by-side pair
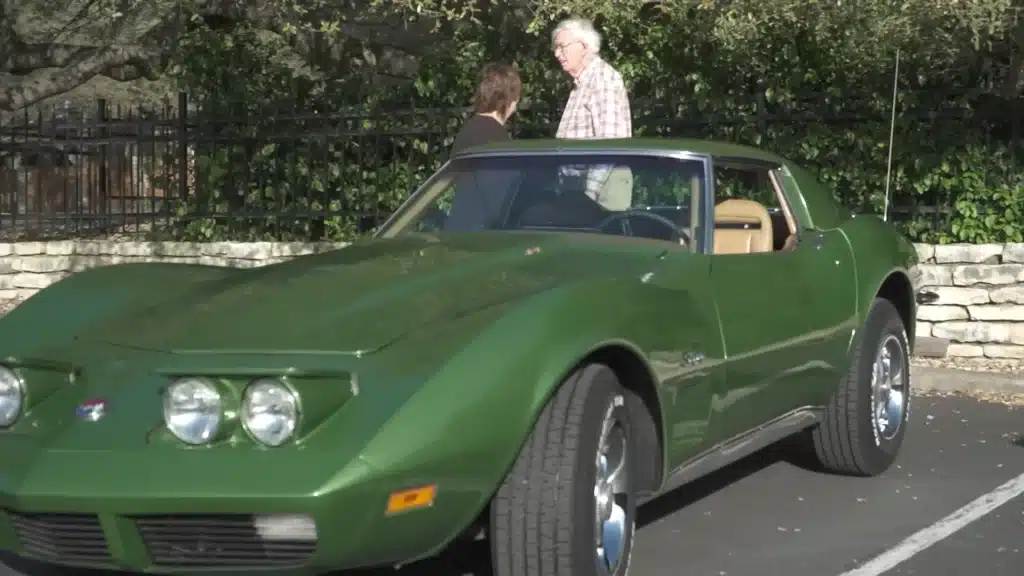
210	409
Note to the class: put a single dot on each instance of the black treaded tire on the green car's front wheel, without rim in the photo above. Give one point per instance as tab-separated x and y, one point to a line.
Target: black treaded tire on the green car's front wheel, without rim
543	519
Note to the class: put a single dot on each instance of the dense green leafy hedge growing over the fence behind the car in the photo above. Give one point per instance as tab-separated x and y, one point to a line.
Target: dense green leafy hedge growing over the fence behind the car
325	154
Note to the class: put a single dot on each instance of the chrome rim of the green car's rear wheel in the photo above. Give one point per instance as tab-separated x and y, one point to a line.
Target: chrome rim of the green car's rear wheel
888	392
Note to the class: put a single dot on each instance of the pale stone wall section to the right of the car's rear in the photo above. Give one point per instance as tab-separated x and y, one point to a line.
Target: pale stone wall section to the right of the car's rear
980	310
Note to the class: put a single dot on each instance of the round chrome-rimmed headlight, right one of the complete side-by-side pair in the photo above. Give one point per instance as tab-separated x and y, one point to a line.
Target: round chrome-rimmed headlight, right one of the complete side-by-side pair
271	412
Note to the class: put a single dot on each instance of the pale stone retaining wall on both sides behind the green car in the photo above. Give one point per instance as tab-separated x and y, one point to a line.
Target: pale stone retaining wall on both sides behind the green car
980	308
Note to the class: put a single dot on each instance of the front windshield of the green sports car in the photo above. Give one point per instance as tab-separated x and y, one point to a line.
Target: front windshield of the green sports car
616	194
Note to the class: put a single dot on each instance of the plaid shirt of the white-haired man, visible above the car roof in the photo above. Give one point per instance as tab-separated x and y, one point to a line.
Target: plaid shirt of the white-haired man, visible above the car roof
599	107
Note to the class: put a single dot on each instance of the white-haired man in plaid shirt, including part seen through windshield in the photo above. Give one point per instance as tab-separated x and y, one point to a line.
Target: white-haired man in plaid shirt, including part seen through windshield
599	108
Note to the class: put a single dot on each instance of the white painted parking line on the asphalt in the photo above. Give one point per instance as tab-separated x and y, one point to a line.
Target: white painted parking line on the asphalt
941	530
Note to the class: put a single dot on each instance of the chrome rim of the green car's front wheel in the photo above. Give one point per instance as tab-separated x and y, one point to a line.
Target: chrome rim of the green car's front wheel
611	492
